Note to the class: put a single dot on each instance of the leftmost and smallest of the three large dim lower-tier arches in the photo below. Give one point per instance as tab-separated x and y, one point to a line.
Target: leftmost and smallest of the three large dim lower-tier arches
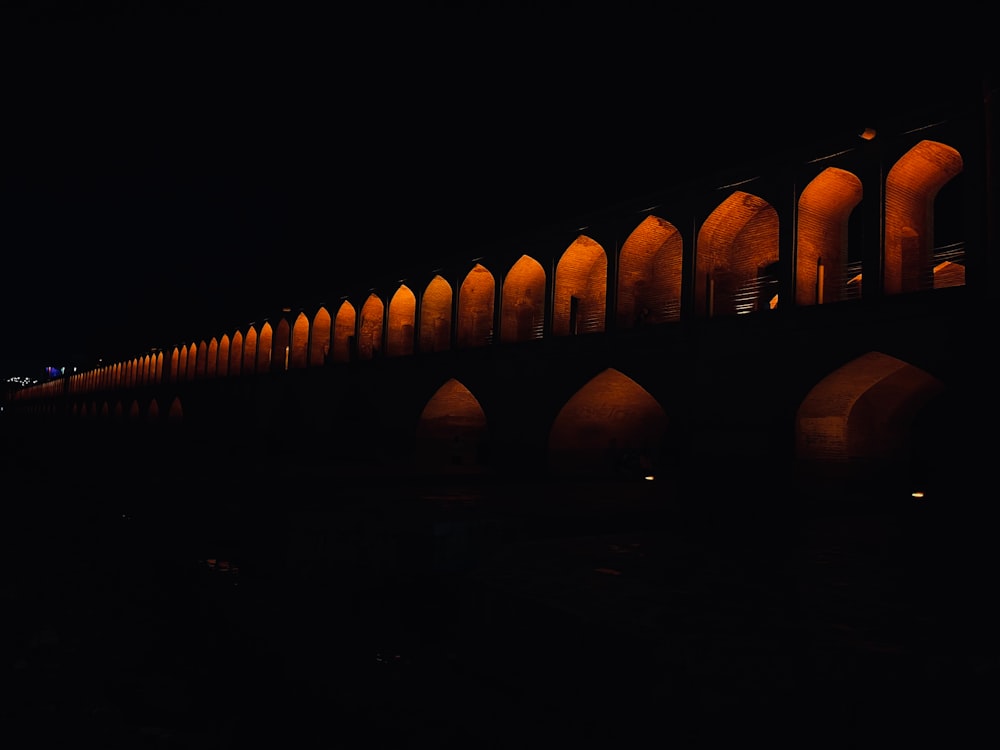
452	432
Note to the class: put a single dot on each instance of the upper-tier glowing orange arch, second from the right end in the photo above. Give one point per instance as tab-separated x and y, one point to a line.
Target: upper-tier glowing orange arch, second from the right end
825	207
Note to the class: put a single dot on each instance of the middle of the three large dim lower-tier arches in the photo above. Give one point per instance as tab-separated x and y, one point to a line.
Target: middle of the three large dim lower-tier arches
610	427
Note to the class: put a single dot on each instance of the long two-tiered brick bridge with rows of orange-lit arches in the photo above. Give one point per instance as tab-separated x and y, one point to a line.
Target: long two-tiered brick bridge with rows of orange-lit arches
814	316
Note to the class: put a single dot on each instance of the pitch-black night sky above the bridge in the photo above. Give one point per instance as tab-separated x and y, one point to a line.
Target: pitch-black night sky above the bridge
165	163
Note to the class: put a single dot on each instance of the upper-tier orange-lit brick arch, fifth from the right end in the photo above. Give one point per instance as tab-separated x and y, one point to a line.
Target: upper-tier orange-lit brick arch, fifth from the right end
581	285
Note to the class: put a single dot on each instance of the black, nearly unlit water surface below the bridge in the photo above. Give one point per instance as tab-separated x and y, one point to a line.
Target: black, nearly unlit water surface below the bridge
184	611
